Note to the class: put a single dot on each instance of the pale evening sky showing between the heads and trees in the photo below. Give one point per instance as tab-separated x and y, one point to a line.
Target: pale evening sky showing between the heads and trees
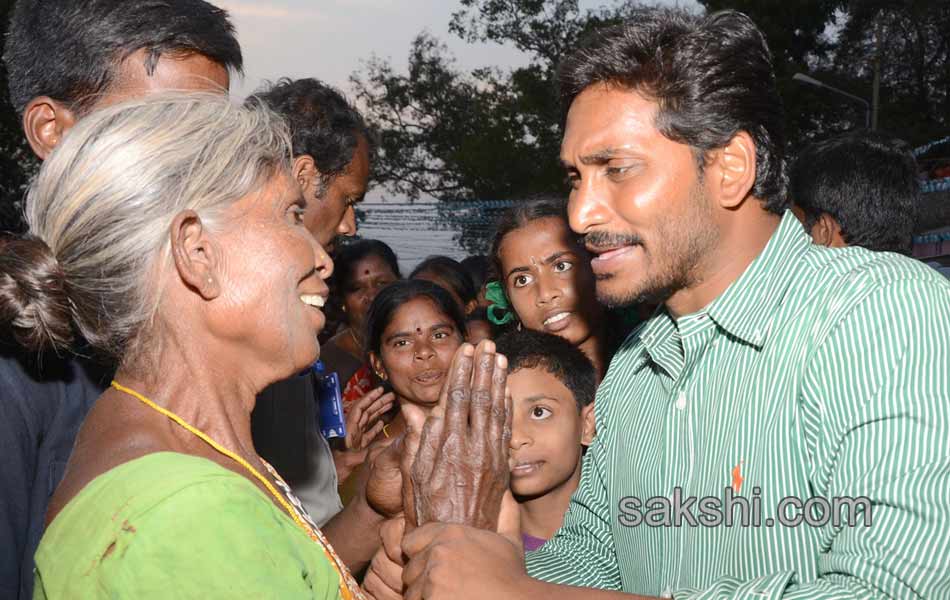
329	39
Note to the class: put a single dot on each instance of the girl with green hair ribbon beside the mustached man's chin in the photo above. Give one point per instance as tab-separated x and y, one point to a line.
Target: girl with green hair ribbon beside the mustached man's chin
545	281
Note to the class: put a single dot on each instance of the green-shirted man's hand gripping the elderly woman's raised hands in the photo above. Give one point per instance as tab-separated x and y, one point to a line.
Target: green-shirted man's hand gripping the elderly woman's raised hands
455	562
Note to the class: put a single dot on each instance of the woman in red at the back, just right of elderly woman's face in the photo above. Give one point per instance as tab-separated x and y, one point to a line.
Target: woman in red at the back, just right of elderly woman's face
362	269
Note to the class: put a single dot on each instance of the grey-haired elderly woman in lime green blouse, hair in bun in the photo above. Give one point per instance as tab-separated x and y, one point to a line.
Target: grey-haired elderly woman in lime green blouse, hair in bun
167	234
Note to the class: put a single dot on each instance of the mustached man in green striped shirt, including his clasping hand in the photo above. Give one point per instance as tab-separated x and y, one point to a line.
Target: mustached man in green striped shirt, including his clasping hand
775	370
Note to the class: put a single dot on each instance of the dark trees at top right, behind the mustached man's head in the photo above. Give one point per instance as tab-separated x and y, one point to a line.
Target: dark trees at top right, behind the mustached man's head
844	43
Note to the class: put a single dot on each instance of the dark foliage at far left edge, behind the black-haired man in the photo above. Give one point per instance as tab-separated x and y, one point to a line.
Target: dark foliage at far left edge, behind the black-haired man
17	163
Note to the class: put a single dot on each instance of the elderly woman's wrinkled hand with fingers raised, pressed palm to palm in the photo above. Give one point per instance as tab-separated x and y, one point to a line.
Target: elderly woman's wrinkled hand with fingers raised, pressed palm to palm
457	462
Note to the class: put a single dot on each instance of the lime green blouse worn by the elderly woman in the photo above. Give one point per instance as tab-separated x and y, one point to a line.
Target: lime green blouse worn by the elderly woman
170	525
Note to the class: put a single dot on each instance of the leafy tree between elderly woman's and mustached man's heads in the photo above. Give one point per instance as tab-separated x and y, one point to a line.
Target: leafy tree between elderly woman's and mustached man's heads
488	134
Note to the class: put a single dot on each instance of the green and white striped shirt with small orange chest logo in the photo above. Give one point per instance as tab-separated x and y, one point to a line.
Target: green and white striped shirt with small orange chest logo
818	373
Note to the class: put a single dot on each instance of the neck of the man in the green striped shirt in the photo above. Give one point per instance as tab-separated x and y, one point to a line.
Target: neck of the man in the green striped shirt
741	243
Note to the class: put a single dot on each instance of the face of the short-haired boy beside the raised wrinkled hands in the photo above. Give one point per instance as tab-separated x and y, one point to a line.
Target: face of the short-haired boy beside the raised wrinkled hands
547	432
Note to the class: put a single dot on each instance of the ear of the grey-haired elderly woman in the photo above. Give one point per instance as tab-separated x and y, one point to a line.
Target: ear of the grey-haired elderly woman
196	256
